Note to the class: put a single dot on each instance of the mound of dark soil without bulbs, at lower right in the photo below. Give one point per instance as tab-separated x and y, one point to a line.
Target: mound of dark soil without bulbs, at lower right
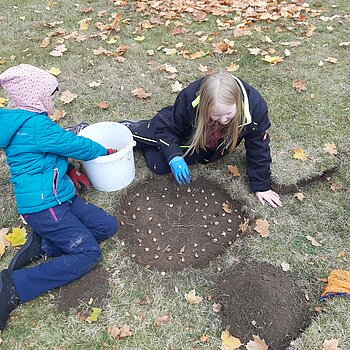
261	299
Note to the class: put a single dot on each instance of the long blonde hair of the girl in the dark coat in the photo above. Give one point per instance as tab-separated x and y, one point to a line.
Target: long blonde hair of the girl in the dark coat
219	88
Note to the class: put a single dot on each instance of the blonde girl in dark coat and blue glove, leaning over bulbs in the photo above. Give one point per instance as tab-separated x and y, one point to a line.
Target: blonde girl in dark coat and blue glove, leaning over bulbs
208	120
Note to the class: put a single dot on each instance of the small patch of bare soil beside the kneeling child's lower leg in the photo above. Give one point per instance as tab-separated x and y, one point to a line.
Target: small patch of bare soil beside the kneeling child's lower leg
92	289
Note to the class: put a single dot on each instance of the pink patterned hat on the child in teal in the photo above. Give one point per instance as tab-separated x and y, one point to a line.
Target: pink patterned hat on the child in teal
28	87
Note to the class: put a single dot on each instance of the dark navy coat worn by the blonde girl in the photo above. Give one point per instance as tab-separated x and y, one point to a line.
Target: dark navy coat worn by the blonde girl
172	127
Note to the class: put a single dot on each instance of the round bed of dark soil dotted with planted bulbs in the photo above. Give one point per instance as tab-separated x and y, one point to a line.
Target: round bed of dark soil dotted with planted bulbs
169	227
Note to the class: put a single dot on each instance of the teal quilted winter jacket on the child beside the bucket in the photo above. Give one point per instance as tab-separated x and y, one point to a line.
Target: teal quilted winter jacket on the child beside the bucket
37	151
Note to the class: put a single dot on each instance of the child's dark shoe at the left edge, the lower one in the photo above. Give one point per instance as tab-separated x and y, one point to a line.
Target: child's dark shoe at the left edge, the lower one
8	297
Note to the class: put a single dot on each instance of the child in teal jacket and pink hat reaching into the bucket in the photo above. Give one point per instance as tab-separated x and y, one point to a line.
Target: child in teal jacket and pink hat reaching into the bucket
66	227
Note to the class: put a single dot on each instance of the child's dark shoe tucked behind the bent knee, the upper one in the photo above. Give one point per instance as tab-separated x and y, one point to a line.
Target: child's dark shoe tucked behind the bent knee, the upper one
29	252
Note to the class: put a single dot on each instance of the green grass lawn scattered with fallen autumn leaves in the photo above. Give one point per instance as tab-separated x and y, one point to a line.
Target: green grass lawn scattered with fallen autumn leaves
306	120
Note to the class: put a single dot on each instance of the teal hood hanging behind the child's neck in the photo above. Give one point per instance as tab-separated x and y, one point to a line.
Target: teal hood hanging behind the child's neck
10	121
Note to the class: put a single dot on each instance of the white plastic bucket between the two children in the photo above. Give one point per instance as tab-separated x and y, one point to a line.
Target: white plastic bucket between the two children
116	171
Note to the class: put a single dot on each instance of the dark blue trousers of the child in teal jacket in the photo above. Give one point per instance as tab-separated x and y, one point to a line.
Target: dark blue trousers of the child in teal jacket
70	233
